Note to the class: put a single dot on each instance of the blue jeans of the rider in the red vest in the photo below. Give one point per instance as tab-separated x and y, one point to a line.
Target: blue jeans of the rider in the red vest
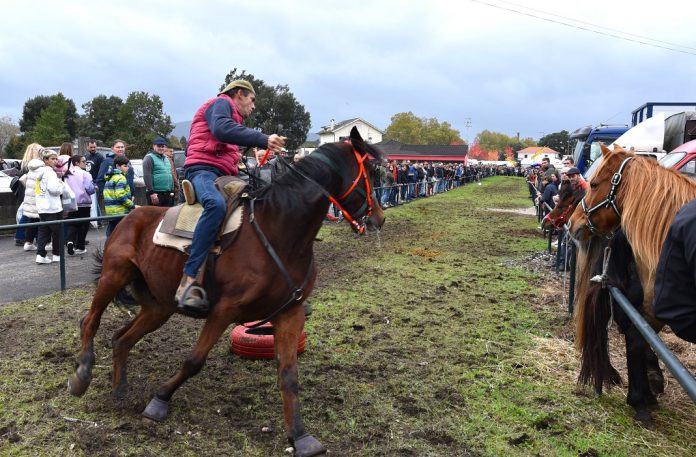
214	210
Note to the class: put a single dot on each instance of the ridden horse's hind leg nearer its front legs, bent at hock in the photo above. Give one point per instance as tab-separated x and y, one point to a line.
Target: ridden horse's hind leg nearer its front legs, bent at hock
148	319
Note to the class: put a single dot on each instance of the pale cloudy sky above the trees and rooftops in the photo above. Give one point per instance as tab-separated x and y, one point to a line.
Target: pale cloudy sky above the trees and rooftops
534	69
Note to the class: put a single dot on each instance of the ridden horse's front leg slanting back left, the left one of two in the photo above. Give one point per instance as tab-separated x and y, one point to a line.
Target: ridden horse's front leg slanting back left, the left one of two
216	323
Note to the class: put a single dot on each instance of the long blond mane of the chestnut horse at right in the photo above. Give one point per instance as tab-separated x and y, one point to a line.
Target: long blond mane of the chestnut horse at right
650	196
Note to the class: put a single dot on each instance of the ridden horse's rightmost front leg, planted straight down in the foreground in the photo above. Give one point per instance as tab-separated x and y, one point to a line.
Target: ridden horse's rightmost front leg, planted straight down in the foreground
287	329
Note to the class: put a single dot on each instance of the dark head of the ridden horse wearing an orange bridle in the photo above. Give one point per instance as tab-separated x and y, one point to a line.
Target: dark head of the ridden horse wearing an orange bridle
356	198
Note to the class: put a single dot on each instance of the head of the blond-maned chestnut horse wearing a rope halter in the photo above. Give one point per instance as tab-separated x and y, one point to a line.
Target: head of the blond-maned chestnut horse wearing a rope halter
599	213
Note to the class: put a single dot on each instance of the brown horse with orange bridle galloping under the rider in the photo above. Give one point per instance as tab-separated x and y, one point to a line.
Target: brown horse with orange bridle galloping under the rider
243	283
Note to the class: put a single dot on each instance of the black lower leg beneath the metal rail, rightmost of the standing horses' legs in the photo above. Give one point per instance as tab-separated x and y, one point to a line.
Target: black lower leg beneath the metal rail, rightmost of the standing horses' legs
640	397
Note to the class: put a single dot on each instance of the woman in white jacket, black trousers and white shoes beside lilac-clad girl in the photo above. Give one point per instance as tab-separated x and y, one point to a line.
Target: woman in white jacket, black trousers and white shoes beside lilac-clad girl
49	206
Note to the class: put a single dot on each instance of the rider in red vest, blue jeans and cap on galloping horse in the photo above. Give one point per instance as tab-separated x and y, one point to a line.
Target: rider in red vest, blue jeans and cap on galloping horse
216	134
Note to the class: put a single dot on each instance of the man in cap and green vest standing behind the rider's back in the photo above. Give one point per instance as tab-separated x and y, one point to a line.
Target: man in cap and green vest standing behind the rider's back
157	174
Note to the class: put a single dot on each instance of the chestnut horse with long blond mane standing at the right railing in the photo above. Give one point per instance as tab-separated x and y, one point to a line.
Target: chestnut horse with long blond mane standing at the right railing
641	197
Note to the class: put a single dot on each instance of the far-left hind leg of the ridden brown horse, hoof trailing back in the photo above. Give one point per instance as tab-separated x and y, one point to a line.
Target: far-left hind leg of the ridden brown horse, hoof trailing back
108	287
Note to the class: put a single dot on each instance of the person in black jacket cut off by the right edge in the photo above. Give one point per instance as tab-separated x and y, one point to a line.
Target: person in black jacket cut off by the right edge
675	279
